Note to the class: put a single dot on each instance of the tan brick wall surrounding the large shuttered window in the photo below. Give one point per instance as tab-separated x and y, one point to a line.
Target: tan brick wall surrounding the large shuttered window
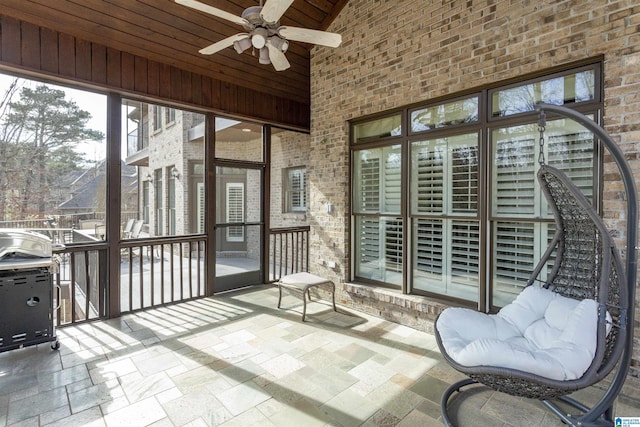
395	53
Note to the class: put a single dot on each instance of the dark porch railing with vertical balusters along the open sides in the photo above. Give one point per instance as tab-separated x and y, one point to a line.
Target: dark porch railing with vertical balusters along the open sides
153	271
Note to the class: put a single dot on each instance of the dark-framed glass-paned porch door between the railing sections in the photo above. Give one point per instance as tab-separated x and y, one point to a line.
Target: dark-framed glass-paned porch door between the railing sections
239	227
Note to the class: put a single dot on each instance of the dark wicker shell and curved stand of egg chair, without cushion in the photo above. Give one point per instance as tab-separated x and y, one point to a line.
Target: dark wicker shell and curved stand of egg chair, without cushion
585	265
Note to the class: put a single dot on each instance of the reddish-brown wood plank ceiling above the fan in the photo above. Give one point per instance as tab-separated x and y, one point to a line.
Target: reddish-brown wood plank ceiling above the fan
169	33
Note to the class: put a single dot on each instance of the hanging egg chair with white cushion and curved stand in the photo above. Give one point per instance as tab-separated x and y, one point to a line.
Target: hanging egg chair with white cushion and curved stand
574	329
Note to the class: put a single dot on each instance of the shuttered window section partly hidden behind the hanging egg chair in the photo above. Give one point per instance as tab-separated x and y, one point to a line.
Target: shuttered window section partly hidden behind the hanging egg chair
518	245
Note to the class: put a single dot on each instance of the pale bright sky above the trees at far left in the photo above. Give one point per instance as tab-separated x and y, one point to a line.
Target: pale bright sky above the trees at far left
95	104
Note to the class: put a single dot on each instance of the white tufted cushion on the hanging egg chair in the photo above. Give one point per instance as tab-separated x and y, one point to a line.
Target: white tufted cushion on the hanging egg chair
541	332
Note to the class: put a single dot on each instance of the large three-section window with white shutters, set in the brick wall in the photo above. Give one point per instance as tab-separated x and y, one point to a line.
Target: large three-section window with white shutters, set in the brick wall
450	206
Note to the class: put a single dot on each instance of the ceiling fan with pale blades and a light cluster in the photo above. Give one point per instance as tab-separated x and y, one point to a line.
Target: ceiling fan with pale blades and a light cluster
263	32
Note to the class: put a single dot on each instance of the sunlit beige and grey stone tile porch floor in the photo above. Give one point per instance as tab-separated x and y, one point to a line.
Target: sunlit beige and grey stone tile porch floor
236	360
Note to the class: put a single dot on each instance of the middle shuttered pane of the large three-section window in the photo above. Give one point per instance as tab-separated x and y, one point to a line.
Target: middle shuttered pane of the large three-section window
444	180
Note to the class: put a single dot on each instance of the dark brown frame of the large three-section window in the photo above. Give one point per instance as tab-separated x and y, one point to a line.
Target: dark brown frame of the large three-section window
483	126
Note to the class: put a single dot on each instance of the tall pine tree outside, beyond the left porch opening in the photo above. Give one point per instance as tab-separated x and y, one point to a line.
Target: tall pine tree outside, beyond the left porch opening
38	133
